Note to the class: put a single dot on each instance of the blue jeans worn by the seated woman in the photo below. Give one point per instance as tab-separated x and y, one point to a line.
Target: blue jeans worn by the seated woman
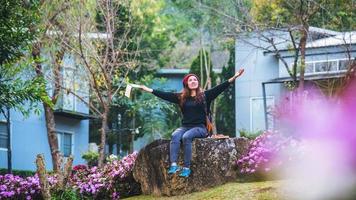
185	134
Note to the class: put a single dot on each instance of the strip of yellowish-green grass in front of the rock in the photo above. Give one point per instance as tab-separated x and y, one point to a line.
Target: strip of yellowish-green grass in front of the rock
264	190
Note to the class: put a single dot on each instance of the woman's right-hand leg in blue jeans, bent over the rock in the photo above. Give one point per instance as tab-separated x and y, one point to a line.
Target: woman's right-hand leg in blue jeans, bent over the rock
188	136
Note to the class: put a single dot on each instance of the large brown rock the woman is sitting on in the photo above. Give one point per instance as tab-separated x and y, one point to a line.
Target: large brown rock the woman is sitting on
213	163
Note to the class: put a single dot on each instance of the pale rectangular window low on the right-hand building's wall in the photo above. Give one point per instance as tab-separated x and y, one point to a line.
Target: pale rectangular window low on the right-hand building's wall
257	117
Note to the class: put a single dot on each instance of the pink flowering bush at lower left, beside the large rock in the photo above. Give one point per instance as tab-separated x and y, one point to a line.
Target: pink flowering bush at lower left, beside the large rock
85	183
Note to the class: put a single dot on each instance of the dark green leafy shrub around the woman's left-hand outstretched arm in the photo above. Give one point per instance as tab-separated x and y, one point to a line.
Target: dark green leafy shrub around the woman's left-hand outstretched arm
156	118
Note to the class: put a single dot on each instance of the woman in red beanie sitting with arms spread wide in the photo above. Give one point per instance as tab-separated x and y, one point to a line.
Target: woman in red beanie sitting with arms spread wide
193	102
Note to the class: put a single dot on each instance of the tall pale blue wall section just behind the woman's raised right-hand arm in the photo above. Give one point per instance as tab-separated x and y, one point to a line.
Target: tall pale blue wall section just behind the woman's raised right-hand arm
258	68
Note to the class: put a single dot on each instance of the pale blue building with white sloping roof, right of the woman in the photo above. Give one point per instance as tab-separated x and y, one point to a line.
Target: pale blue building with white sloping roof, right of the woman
327	56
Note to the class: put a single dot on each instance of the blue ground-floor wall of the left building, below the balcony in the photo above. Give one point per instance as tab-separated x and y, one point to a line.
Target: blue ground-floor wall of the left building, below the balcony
29	138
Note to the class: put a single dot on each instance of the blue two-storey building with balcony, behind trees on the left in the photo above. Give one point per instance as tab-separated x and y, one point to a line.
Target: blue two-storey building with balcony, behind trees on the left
29	135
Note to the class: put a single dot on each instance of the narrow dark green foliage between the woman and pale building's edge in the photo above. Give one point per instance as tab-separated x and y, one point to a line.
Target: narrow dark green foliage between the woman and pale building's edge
225	115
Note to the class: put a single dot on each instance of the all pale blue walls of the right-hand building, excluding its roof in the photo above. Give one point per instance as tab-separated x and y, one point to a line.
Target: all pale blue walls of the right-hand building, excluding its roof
261	67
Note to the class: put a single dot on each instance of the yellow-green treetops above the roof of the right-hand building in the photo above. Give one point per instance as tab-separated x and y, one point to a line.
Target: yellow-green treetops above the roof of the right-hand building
335	14
